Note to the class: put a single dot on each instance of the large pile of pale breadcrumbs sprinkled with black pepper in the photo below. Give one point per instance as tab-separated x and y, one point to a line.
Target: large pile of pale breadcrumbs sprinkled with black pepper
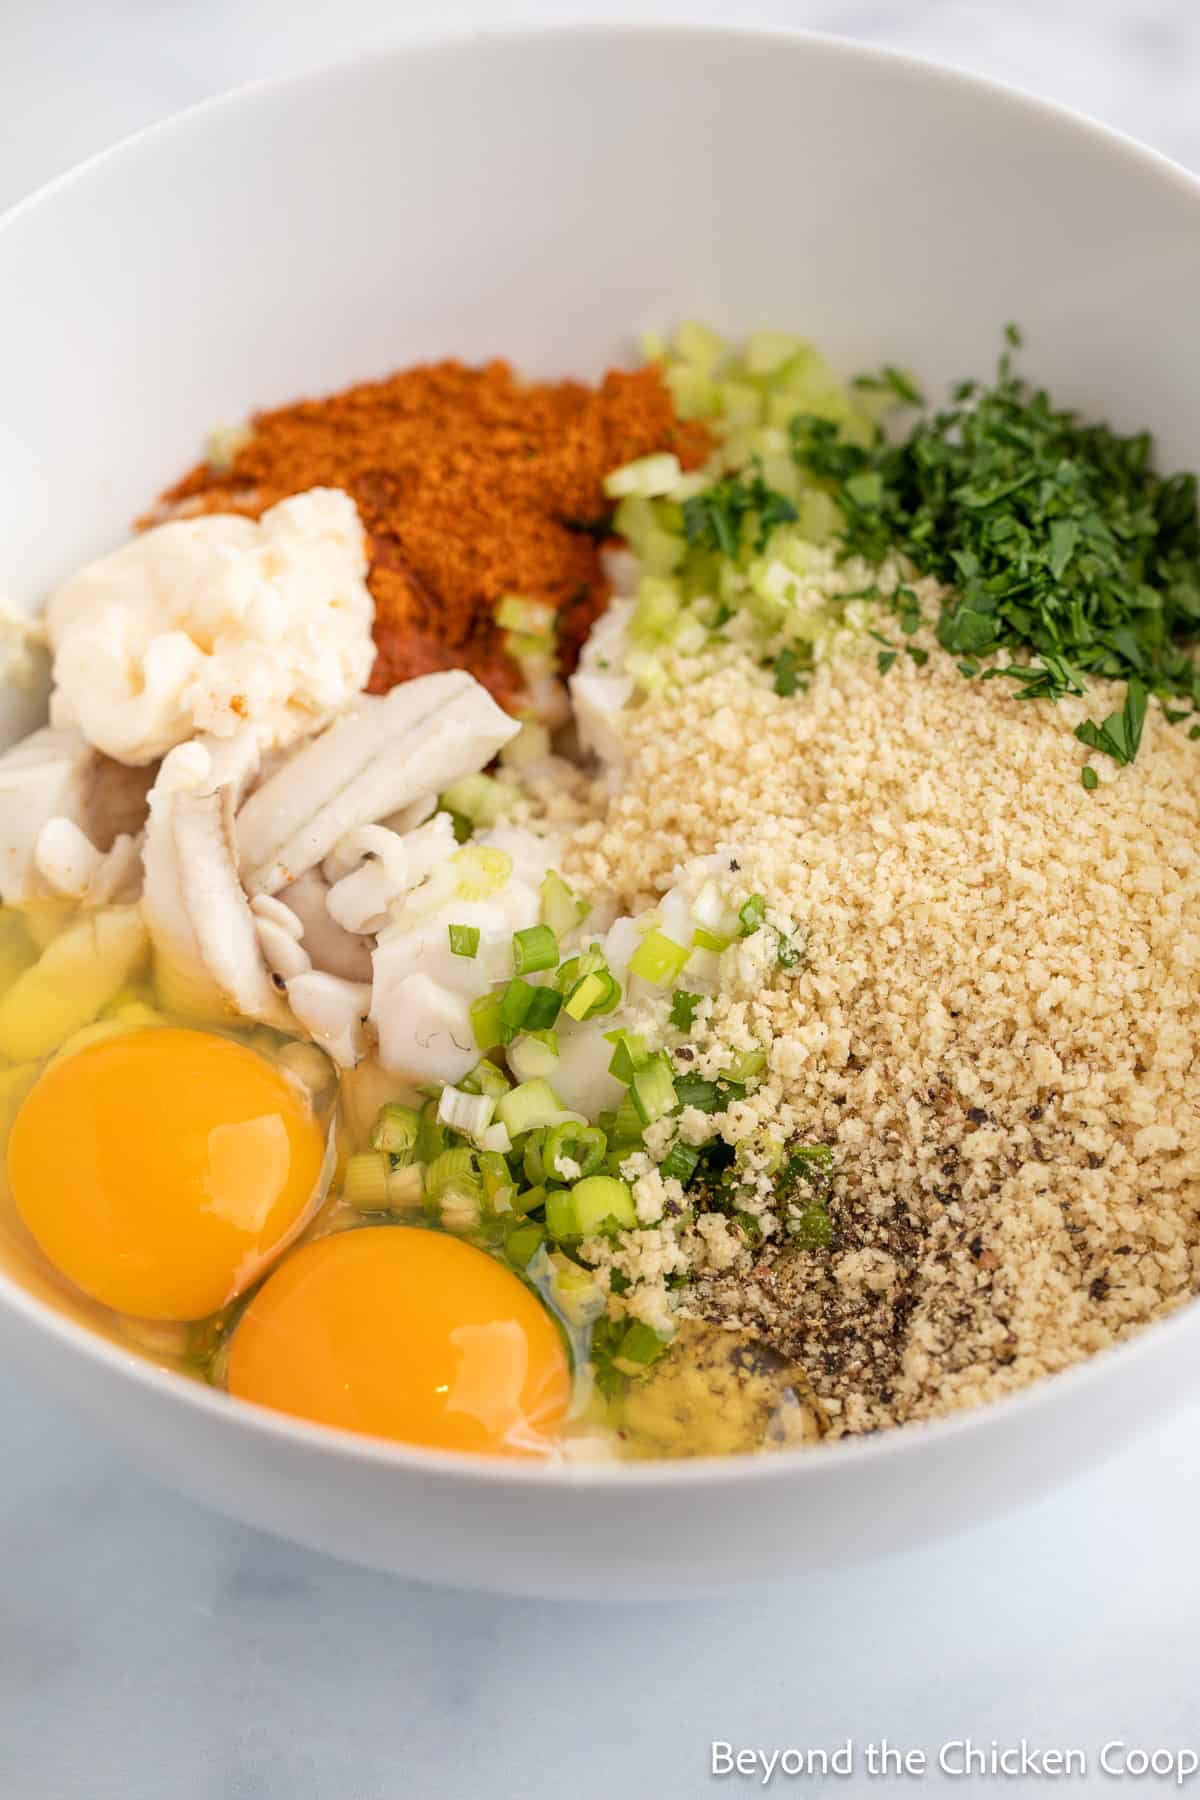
994	1027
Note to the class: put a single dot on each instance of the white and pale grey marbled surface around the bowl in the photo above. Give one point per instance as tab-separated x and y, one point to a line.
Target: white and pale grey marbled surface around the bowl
150	1650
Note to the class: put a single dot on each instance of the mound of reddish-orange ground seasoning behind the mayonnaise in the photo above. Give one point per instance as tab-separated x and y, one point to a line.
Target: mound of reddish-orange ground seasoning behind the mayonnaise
470	485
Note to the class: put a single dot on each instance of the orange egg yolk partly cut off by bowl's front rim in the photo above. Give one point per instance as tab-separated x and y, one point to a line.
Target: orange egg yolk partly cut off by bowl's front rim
406	1335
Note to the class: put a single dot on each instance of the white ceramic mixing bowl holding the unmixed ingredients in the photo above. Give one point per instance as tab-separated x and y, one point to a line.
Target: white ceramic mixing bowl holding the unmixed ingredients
541	197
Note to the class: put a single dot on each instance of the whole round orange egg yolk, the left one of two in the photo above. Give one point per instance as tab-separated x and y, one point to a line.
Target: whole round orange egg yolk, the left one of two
163	1169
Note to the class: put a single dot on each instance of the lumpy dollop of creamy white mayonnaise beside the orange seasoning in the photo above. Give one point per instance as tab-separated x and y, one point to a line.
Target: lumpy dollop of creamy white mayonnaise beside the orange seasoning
206	625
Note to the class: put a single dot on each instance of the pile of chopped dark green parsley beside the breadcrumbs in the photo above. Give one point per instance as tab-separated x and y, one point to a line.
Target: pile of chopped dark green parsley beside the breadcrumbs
1059	541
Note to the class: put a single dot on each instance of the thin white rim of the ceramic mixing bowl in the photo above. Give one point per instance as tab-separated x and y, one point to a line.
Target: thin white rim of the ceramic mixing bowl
825	1464
